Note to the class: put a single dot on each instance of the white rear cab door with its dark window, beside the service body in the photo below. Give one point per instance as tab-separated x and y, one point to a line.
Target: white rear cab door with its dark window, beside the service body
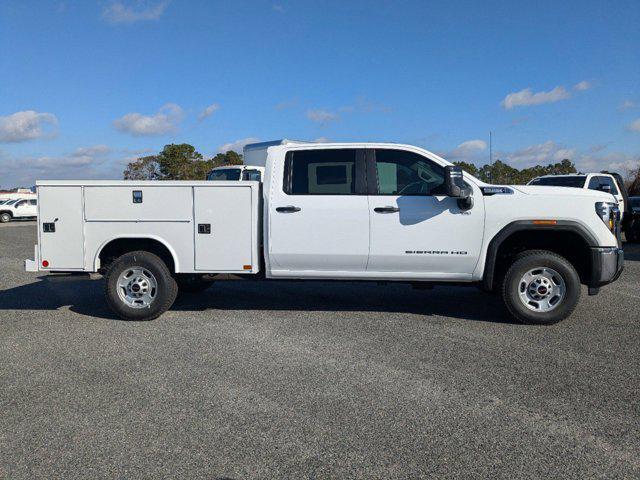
319	214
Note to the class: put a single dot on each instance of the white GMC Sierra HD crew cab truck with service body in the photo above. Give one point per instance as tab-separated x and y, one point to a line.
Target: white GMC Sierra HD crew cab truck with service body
352	211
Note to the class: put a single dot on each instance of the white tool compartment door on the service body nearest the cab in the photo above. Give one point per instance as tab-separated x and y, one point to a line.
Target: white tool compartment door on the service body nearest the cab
223	228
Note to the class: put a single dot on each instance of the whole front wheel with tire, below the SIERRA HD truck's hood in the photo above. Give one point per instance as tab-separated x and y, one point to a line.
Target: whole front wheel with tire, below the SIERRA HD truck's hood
541	287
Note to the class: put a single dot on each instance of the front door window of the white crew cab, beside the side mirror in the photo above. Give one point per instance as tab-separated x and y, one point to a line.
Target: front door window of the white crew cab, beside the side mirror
406	173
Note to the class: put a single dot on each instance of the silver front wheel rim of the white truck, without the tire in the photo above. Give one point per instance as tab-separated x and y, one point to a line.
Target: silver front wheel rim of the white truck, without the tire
541	289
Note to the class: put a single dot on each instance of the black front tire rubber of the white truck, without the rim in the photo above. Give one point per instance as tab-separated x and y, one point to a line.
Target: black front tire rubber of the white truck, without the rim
531	260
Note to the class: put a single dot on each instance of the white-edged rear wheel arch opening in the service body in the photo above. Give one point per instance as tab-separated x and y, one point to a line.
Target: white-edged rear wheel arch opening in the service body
122	244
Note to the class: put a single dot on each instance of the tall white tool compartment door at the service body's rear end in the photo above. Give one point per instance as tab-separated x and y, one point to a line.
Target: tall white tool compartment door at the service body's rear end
61	207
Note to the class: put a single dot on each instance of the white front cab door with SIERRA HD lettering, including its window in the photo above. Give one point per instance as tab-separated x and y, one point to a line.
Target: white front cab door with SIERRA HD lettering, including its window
416	231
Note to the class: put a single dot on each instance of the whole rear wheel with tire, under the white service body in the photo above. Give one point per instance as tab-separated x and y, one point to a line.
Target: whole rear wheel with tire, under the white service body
139	286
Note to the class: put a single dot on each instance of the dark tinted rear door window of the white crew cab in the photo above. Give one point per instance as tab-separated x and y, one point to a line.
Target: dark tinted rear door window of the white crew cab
321	172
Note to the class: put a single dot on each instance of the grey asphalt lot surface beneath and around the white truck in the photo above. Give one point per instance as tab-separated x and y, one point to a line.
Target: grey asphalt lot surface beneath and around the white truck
313	380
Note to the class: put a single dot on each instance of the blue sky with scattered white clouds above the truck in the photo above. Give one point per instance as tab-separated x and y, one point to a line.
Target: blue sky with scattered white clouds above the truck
86	86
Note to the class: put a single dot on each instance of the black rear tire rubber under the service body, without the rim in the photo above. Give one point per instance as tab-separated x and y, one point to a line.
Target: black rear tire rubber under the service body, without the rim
165	294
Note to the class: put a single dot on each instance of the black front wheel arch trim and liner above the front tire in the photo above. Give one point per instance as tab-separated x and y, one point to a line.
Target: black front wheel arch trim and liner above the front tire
564	228
